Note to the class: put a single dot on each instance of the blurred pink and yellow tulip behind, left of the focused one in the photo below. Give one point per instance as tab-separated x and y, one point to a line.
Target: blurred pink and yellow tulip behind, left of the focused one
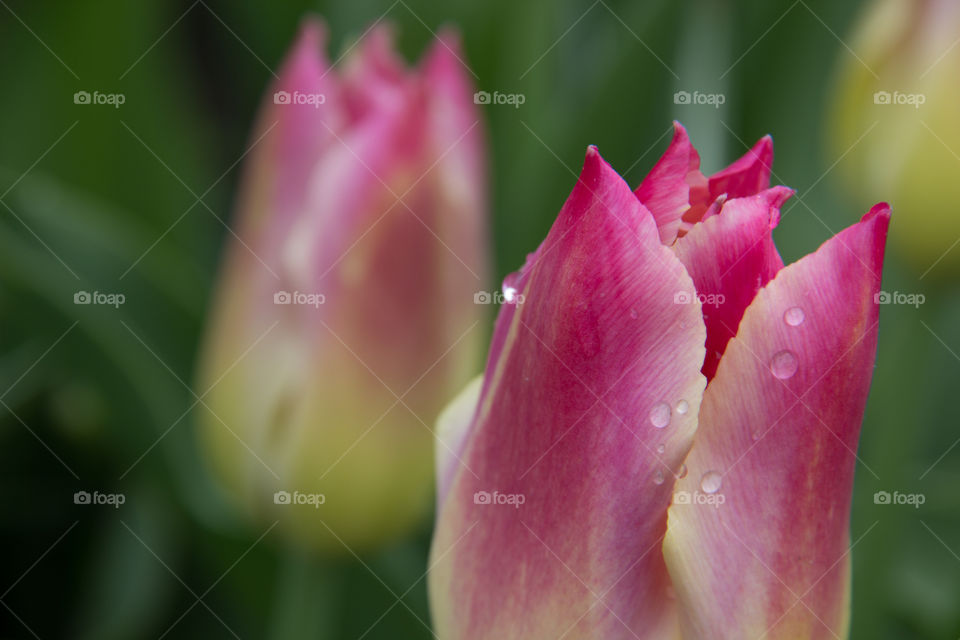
344	314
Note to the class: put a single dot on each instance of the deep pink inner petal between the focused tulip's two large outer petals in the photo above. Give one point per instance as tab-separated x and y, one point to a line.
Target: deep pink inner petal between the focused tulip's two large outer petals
730	256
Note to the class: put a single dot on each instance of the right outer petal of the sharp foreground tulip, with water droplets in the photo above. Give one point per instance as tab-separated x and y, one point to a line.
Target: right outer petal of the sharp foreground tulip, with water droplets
758	535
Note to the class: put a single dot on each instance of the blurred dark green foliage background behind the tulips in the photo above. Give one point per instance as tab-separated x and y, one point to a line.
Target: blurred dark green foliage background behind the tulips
87	190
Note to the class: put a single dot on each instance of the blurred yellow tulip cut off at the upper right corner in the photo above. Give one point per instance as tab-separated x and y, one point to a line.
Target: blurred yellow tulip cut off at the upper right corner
894	122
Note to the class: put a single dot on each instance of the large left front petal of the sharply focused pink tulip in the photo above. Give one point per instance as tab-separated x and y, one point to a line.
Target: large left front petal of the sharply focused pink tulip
553	524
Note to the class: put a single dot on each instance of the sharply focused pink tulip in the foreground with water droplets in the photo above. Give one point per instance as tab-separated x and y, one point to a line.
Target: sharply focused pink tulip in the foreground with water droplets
606	478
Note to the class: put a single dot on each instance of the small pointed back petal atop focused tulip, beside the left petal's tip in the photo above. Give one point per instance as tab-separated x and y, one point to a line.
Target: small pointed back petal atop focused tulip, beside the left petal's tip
673	183
